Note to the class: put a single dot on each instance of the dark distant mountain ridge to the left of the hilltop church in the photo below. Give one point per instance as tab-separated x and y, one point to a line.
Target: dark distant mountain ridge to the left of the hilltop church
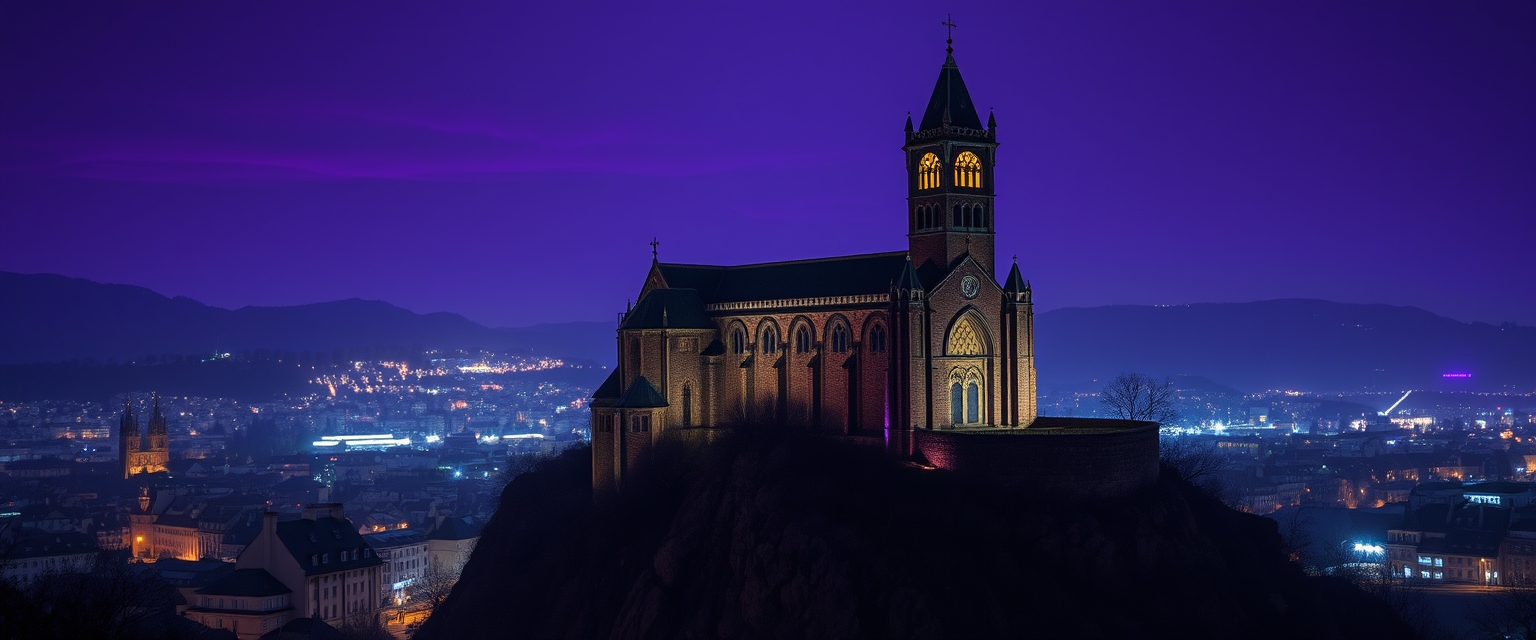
48	318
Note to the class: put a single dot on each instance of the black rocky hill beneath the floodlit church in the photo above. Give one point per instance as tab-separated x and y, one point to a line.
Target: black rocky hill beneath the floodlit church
792	538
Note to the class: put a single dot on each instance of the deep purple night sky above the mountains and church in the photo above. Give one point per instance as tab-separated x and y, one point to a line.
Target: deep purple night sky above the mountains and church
511	162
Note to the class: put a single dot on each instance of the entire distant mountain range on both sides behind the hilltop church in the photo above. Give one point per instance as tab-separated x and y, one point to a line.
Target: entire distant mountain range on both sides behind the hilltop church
1300	345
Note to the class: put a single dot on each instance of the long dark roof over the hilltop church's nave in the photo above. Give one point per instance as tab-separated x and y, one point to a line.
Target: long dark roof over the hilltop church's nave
803	279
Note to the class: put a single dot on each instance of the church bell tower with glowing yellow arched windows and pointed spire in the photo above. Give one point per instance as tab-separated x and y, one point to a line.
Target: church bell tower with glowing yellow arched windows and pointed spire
950	177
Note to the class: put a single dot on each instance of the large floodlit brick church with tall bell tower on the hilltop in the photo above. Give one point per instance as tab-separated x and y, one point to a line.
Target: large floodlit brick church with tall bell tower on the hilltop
867	346
